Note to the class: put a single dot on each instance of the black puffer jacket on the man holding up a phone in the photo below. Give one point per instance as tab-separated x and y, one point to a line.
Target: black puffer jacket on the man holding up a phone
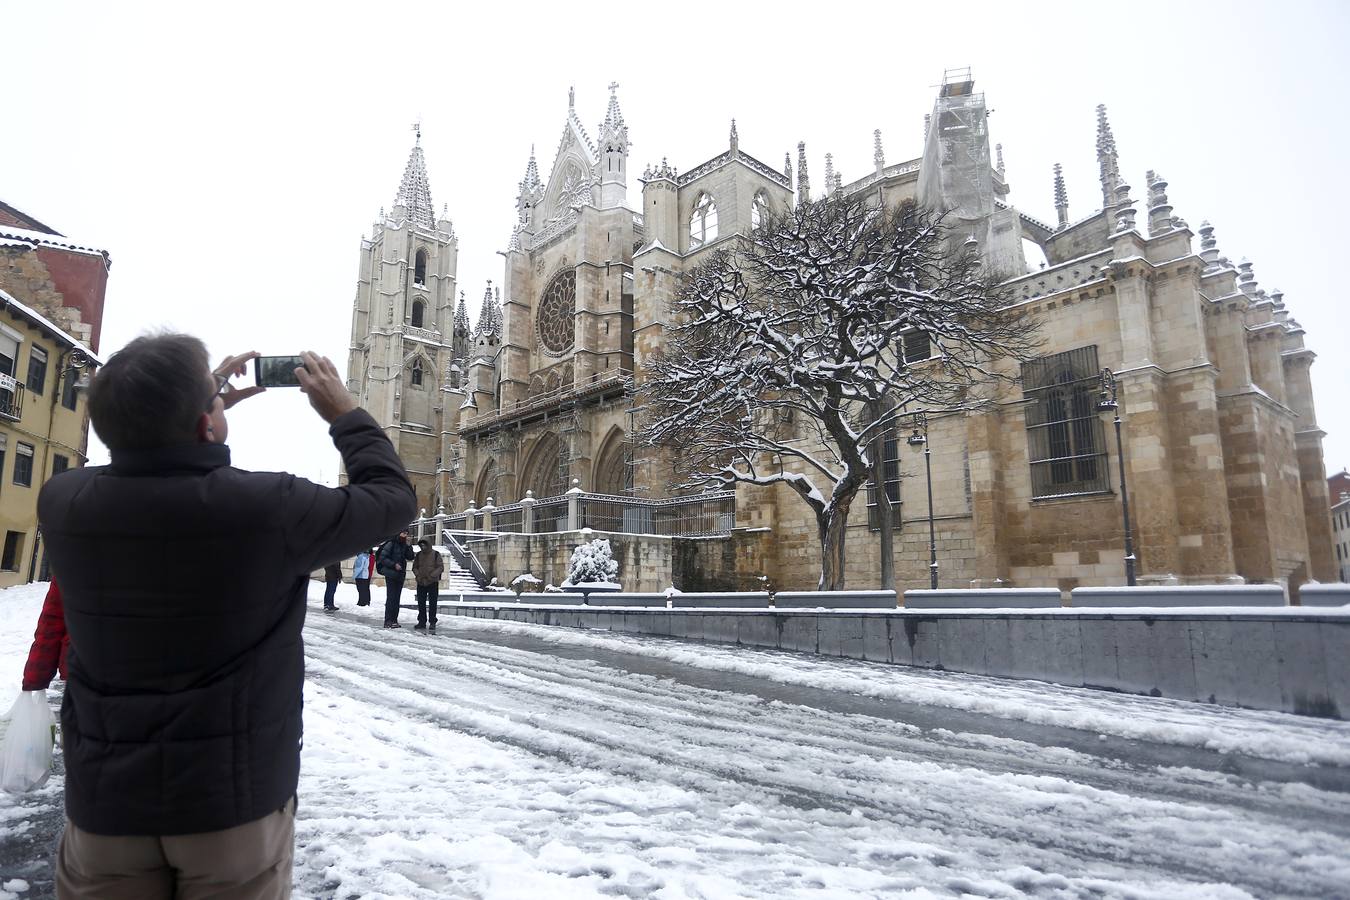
183	708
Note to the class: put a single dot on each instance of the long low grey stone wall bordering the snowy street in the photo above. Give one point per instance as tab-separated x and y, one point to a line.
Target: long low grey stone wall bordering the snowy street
1289	660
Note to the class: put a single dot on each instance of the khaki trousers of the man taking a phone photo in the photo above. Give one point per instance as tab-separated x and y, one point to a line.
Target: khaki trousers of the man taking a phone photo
248	863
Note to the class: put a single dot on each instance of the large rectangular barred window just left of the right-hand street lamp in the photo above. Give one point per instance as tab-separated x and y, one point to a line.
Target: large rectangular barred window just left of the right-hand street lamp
1066	445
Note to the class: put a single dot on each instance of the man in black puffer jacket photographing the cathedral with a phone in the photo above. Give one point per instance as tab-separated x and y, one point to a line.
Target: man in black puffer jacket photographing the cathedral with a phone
183	712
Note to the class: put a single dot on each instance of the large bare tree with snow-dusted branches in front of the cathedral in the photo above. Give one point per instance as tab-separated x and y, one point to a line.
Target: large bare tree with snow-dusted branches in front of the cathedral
786	357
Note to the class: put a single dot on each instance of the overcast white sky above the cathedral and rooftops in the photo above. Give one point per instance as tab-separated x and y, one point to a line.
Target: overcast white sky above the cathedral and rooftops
232	159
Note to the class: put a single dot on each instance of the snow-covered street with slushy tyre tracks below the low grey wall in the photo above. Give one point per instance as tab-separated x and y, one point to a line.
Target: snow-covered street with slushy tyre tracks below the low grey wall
500	760
